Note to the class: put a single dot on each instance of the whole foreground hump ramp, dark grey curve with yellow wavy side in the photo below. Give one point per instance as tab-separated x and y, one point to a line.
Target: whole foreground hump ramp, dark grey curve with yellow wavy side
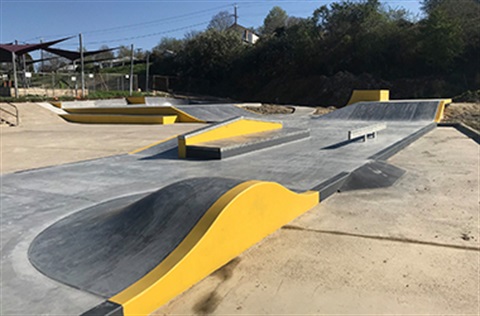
141	251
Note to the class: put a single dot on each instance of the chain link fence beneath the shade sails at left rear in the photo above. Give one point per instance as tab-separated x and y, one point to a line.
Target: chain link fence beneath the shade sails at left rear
67	84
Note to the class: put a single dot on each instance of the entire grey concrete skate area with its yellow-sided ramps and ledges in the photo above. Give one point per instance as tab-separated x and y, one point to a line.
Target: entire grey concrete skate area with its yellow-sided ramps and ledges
74	237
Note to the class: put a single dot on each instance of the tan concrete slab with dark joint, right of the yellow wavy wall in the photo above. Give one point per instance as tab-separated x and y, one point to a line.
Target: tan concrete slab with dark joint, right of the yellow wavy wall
401	250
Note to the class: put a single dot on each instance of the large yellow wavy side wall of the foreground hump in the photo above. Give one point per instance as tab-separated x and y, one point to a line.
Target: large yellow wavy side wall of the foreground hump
240	218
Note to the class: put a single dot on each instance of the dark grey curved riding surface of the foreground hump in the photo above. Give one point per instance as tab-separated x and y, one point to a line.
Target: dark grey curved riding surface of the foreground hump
106	248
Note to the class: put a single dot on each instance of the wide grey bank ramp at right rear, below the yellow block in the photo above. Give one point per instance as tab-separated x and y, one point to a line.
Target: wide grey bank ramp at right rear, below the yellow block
388	111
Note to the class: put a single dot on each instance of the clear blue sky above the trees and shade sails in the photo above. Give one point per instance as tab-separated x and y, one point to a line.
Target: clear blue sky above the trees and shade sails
141	23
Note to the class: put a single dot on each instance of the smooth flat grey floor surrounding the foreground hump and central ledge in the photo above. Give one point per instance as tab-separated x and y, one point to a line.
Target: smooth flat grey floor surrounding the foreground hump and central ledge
34	200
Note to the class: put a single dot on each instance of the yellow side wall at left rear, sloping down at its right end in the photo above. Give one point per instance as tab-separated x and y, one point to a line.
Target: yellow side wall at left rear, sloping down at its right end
141	110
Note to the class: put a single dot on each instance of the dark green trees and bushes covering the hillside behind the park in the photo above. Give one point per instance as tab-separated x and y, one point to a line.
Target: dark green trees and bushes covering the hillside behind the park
343	46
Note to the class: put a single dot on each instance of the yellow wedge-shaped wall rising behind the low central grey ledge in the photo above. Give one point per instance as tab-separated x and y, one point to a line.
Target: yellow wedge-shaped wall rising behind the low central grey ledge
226	129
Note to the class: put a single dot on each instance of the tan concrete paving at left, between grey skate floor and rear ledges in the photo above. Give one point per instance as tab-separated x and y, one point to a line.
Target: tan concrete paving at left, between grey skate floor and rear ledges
44	139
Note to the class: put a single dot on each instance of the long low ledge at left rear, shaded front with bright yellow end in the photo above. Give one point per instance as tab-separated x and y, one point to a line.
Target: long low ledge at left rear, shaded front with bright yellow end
119	119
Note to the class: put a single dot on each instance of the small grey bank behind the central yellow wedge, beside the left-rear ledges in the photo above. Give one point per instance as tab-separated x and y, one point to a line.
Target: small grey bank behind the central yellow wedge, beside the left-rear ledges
214	112
